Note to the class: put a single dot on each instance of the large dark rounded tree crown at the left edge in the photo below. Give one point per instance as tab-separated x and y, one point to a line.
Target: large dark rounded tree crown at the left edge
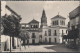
11	25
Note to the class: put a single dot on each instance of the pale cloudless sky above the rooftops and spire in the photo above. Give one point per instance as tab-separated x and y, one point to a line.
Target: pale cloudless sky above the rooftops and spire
33	9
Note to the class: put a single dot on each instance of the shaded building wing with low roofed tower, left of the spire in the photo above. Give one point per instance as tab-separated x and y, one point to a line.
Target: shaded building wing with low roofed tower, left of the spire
33	29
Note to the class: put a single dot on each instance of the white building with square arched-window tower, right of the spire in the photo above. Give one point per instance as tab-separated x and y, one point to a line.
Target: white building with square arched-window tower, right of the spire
55	32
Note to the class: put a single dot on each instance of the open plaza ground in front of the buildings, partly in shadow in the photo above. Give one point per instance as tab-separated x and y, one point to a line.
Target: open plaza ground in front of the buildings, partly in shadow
44	48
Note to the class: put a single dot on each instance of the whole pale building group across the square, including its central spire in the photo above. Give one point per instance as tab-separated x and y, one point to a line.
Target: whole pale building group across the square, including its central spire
47	34
